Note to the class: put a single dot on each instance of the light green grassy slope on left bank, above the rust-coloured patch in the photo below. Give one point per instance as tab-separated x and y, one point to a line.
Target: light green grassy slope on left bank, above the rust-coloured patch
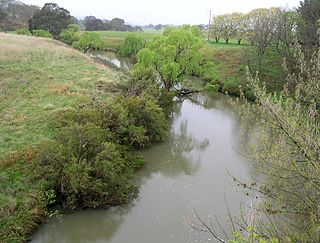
39	77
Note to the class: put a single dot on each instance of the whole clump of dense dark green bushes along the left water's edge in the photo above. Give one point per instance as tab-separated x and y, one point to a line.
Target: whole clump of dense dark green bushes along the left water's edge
91	160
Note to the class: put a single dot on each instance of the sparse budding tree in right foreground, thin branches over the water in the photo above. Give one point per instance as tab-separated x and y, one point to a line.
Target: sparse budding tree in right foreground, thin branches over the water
288	154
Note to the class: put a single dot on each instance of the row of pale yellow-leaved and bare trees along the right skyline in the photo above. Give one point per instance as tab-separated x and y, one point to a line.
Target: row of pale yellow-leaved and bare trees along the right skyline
273	28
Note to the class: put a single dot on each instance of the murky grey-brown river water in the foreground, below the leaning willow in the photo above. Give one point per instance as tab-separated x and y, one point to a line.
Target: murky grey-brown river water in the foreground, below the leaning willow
189	171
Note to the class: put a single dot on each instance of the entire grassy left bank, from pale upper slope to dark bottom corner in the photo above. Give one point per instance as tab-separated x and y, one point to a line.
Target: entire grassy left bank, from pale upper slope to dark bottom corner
39	77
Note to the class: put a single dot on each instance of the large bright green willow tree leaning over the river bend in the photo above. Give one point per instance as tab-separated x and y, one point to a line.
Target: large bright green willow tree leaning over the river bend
174	55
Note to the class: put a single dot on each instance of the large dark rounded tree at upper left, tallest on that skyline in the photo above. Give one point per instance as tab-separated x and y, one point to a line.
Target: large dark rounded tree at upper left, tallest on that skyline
51	18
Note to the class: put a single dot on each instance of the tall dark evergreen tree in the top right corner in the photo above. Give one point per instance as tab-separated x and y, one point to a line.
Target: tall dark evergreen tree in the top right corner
308	24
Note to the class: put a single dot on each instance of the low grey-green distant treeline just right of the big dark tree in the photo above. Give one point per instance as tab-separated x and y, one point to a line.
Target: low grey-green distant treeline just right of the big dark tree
91	23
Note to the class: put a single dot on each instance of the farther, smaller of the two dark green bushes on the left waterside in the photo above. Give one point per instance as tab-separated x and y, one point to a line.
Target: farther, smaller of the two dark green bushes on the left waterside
135	121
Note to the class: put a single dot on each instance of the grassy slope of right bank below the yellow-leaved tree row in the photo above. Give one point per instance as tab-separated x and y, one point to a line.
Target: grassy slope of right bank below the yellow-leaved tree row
232	59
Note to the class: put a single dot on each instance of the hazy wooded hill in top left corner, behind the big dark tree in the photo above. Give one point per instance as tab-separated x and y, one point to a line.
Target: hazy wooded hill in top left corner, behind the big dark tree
15	14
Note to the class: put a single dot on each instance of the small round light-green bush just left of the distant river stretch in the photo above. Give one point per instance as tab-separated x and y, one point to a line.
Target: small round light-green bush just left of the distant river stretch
89	40
